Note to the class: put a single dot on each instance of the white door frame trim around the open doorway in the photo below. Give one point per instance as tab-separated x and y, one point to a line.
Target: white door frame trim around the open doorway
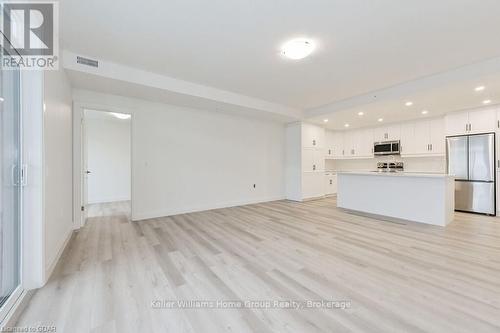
79	215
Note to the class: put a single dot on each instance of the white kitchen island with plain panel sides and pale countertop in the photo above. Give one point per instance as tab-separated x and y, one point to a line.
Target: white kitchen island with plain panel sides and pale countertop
419	197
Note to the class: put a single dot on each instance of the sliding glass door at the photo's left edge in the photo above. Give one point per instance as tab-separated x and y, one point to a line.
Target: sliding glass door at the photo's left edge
10	186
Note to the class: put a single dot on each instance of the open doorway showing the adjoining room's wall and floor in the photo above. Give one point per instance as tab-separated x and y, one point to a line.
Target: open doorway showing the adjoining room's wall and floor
106	163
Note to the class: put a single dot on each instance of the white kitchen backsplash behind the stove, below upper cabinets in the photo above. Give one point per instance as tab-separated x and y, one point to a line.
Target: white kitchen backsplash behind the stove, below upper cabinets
412	164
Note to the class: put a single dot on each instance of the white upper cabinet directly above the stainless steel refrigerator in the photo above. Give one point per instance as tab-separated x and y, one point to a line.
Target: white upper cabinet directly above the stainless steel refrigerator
471	122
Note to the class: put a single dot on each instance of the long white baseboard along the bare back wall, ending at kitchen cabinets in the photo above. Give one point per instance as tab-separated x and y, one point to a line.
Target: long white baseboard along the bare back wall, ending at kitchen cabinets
184	210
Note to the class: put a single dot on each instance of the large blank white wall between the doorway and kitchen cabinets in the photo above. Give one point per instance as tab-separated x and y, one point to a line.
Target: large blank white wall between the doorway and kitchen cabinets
188	160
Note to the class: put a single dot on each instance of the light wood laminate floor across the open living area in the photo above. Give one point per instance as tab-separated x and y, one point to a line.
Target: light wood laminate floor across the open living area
398	277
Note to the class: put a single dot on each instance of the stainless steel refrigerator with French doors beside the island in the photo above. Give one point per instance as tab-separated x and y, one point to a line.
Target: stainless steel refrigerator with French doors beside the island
471	159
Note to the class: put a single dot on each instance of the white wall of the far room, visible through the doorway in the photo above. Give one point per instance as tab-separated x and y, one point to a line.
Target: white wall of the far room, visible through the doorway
108	157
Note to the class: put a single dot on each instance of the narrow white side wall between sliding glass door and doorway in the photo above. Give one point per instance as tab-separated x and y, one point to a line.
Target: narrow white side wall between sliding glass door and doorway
58	190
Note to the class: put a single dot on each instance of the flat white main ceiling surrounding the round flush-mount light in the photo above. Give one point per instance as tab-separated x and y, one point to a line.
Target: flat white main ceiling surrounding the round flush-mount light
364	45
